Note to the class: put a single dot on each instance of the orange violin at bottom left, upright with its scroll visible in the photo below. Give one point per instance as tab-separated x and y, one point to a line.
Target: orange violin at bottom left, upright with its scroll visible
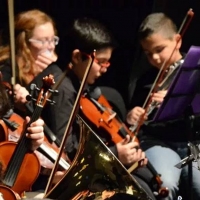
17	157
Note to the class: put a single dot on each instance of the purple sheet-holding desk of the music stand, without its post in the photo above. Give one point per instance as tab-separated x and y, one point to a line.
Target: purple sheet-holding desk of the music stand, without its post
184	90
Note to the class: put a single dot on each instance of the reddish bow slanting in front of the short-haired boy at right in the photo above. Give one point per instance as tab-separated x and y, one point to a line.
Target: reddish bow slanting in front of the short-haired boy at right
184	25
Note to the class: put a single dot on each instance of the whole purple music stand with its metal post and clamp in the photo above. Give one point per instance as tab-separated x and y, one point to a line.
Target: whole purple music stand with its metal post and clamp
182	100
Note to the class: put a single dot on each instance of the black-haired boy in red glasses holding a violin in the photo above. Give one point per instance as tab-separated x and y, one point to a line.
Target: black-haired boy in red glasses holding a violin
84	36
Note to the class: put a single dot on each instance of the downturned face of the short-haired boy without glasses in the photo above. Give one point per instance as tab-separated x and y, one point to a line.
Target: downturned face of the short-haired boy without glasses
159	48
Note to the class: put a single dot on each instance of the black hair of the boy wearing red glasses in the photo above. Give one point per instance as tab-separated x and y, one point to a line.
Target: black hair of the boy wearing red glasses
86	34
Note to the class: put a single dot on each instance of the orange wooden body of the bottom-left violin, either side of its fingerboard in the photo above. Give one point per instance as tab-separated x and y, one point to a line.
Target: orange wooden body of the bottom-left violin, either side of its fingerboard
28	172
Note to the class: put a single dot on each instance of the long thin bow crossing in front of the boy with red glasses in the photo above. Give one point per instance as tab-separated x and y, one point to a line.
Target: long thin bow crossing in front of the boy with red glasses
71	120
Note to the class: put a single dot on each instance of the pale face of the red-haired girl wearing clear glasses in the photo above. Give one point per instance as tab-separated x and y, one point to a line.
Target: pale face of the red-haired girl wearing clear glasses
43	40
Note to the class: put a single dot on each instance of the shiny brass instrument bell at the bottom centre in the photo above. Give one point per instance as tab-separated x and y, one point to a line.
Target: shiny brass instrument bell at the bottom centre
96	173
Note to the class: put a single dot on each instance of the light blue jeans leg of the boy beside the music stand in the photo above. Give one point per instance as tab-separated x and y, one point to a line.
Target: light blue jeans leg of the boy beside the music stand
163	159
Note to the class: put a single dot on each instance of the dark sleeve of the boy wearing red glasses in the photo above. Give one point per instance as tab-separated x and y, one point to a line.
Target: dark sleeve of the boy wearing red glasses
57	116
